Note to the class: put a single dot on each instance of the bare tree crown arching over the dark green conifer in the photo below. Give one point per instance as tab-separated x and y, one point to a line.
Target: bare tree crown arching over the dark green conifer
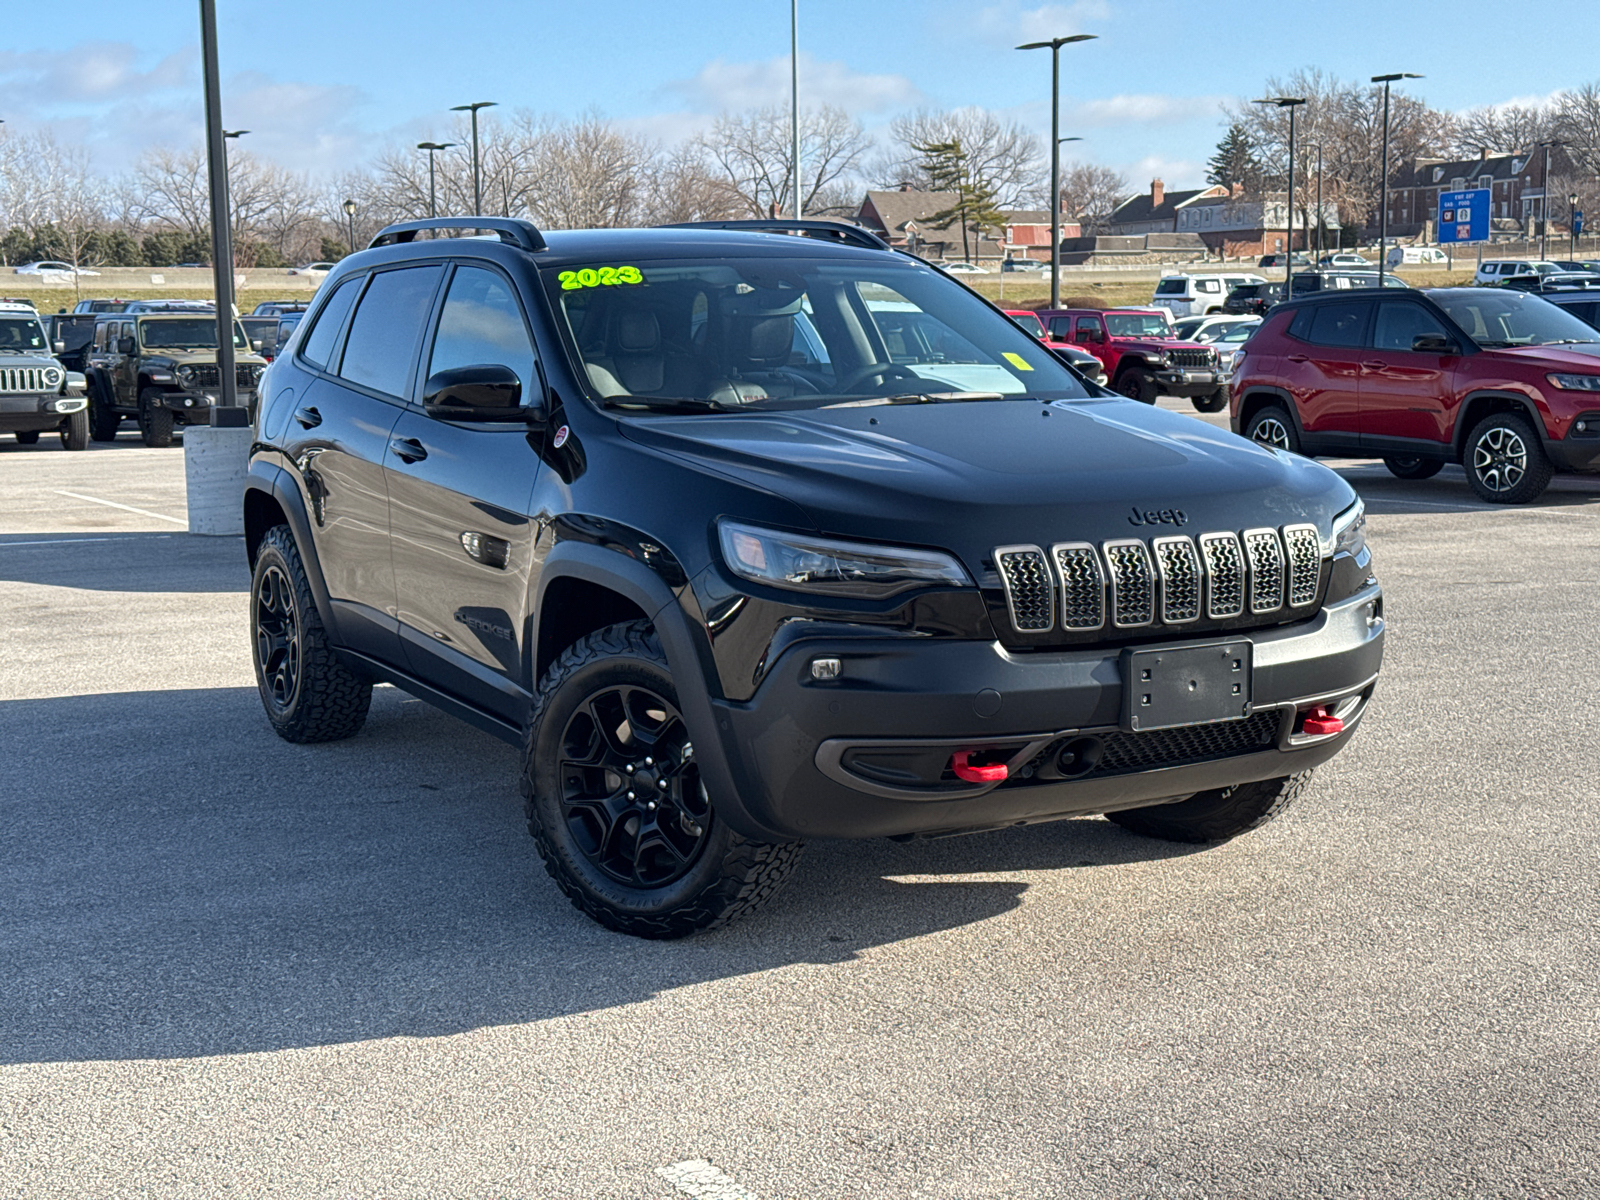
1001	154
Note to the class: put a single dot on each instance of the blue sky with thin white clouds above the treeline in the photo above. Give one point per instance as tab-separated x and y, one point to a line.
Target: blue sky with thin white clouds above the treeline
326	84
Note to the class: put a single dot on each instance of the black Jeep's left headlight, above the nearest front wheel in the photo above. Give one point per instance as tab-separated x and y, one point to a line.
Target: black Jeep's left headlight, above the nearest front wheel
834	567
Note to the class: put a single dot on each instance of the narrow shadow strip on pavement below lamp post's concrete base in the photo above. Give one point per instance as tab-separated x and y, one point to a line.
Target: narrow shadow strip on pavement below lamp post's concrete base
126	562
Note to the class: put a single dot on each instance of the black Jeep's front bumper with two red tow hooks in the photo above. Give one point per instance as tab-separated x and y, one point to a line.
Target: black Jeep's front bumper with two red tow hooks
927	737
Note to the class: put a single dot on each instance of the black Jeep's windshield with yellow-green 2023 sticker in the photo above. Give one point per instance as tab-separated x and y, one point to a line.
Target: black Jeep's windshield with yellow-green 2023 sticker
794	334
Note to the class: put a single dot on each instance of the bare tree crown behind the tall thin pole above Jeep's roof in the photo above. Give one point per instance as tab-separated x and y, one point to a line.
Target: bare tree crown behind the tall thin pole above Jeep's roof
753	153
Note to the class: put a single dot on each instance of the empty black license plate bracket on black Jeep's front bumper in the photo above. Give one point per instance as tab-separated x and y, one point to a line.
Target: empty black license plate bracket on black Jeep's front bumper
1186	686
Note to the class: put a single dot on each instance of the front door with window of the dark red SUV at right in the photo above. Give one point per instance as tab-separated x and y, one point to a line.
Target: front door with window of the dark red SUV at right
1406	393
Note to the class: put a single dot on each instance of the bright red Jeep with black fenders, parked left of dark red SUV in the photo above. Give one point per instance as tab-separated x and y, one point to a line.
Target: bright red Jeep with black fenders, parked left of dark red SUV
1142	356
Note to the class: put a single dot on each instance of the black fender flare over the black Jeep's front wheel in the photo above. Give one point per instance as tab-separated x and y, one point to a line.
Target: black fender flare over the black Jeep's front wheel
689	660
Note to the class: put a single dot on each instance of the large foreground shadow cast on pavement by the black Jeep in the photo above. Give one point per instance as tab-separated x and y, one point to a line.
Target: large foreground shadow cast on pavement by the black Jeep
178	884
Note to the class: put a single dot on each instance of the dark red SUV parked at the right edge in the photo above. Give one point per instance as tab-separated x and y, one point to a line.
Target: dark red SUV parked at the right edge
1503	383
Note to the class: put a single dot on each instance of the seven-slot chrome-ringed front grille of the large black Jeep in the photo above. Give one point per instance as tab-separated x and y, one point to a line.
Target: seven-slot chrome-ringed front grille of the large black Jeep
1169	582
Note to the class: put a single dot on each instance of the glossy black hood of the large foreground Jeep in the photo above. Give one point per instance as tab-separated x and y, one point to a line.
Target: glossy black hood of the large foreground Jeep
974	476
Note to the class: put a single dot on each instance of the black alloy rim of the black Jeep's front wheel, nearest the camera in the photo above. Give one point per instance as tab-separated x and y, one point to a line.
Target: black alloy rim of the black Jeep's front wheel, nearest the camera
631	794
